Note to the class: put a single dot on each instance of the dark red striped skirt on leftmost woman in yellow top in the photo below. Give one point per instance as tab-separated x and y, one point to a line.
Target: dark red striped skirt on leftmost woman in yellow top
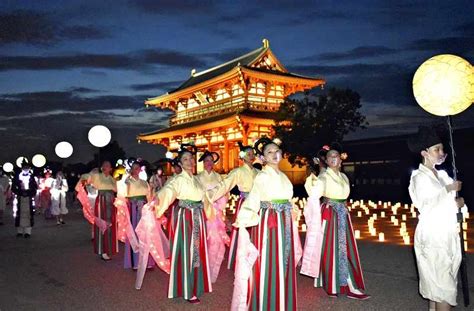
104	208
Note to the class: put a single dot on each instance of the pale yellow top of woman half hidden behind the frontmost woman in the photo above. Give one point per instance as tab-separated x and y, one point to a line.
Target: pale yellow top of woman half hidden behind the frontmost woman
242	177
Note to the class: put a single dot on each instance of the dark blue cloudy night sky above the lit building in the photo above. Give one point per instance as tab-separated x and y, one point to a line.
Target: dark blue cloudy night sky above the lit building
68	65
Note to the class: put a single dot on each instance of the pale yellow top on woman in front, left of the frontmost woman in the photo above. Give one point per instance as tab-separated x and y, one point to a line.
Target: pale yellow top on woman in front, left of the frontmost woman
182	187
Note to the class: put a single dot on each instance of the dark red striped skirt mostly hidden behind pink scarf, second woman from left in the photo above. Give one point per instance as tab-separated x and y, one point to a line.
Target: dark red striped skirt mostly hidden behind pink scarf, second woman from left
130	259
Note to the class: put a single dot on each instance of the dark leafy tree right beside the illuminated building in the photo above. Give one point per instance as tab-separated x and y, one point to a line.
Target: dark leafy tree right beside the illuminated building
305	125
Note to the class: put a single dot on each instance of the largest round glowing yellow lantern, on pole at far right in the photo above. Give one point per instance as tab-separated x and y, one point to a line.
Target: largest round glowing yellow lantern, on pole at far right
444	85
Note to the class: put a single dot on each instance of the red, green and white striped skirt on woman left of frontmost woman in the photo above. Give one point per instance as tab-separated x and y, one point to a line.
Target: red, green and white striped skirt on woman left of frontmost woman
189	260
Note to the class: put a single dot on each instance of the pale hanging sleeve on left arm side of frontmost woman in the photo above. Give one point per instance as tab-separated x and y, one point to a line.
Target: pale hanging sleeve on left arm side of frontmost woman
248	215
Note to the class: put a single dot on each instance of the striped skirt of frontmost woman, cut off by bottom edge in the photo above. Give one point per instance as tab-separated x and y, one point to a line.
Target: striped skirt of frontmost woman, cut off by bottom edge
273	284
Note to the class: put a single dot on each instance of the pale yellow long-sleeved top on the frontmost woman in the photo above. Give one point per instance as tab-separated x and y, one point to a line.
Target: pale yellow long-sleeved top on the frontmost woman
268	185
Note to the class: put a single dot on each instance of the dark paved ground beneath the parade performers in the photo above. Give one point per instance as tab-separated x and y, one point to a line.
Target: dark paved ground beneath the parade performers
57	270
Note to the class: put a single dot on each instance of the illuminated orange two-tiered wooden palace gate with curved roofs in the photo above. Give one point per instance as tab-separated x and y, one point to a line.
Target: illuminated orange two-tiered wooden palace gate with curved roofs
232	102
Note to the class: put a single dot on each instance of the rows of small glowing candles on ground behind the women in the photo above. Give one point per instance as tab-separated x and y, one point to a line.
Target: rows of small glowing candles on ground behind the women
380	216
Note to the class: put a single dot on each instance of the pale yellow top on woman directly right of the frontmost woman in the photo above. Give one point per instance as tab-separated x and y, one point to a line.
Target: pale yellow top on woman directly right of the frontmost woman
331	184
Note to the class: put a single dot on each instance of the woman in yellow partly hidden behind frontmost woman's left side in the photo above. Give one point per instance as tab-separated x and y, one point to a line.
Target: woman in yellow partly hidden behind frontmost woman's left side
243	178
